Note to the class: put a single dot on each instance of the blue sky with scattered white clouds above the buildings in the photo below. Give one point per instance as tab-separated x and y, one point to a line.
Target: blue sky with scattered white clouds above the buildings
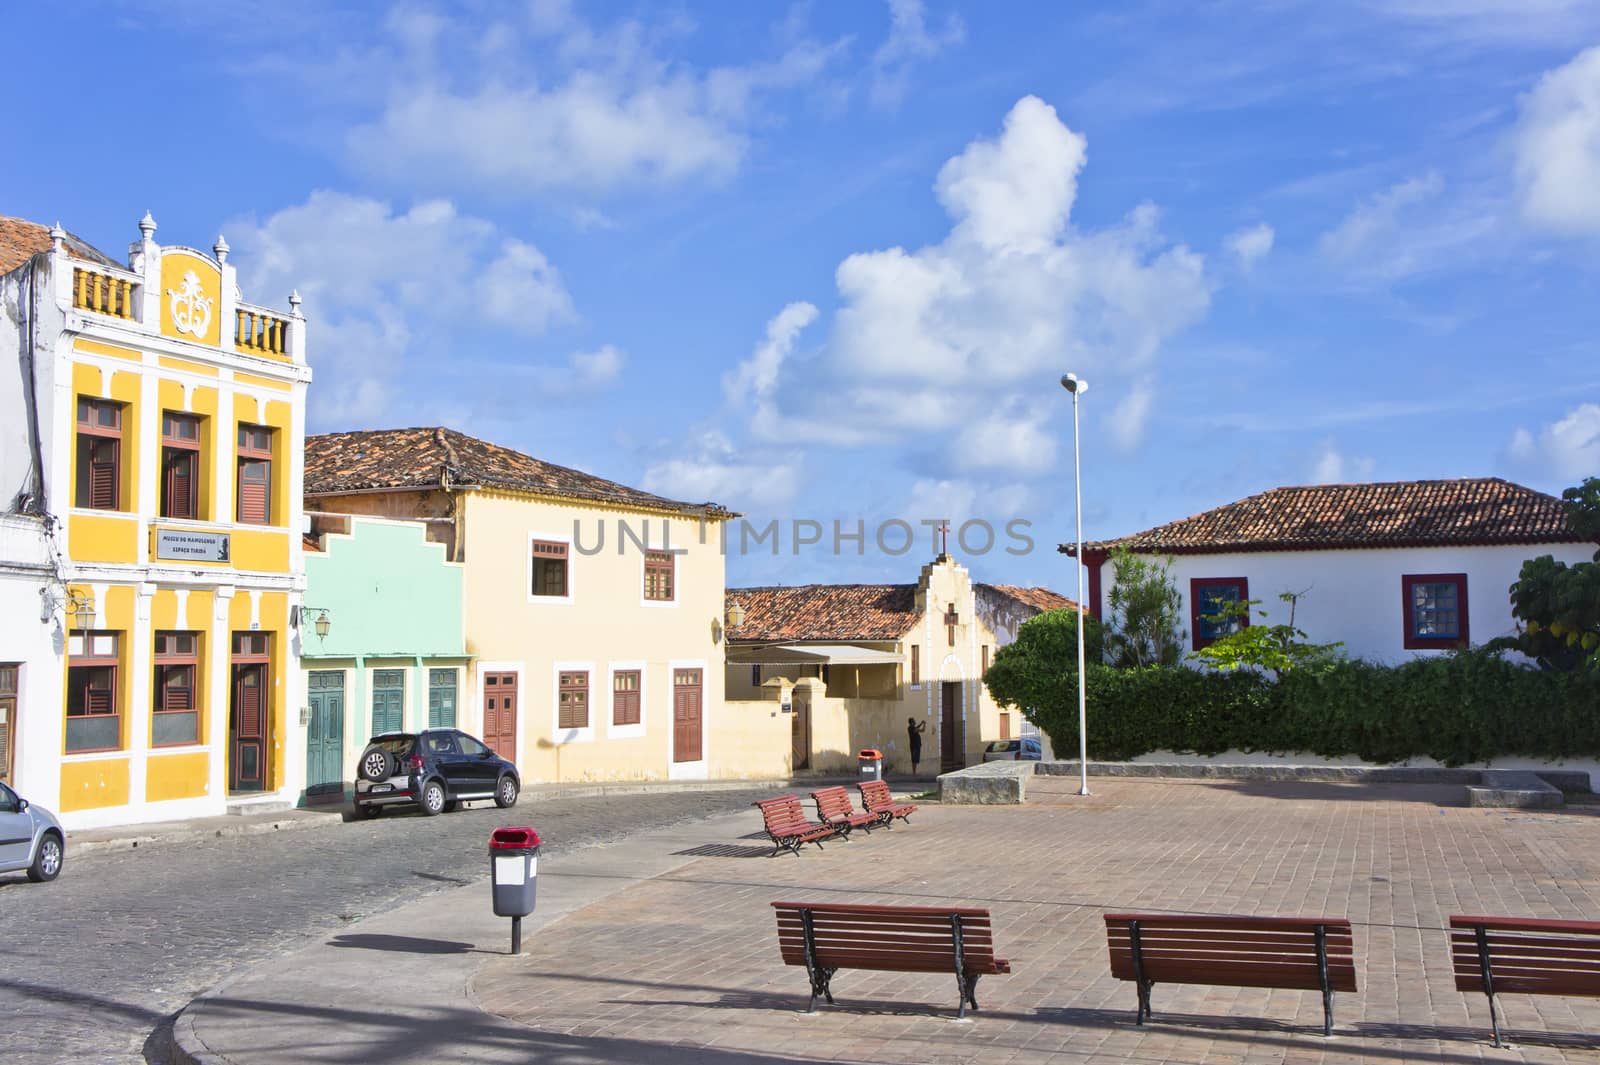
826	263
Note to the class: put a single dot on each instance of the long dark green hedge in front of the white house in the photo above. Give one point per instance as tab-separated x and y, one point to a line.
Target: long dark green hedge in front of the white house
1457	709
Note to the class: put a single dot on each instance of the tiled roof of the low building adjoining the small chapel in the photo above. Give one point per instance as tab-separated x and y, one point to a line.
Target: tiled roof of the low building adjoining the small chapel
825	612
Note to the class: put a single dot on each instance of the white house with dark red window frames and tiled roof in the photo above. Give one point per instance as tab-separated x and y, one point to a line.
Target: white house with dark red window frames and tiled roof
1391	570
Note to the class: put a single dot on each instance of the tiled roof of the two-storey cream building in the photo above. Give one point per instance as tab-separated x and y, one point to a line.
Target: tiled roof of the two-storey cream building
420	458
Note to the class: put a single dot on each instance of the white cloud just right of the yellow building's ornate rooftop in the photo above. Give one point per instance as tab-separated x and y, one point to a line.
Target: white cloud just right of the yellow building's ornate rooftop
372	276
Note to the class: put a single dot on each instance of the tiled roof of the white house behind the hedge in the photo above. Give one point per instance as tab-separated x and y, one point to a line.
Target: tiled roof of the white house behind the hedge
1481	511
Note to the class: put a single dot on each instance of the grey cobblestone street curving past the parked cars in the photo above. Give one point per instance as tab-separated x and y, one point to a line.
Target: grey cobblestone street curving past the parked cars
98	960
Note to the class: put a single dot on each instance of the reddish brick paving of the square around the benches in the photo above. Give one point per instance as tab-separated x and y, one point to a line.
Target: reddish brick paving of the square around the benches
689	962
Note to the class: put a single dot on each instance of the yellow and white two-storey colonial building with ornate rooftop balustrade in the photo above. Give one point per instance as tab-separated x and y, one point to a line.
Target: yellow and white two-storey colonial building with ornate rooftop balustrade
154	445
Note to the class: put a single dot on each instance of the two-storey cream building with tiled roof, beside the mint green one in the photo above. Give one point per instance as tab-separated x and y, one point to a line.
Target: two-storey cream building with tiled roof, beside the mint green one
593	610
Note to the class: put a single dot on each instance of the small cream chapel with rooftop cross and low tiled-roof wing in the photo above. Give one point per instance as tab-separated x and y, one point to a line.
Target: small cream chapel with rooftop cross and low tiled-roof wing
854	664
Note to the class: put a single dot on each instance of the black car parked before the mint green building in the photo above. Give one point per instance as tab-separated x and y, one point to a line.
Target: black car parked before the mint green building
433	770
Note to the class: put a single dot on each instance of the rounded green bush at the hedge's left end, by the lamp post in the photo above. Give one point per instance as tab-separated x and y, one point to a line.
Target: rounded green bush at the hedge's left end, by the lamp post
1039	671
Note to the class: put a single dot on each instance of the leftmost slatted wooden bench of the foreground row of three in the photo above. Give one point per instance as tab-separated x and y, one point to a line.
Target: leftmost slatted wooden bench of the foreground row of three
828	938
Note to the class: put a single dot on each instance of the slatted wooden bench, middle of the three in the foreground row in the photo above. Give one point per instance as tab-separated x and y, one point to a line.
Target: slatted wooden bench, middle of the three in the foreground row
1303	954
